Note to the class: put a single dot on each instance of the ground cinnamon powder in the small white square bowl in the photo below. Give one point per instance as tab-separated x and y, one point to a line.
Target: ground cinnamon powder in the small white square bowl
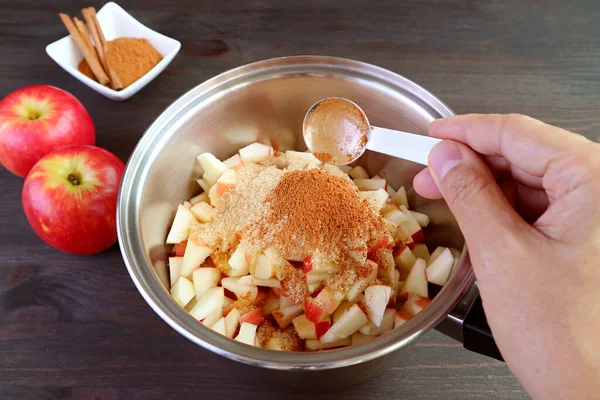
130	58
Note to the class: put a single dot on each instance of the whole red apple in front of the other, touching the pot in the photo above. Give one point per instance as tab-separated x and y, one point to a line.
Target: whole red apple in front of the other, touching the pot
70	198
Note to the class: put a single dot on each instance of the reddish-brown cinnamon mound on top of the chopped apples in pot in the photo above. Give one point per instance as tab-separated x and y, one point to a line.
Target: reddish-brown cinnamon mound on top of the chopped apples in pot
319	214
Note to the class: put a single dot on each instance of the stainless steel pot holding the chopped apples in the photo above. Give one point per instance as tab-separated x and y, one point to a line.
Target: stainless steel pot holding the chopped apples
267	100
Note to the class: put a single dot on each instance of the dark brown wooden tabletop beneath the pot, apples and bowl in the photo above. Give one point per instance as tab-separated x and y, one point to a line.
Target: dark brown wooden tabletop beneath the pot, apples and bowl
76	328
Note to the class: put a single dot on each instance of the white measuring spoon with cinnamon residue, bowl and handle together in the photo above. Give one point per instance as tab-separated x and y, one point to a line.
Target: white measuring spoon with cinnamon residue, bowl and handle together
337	131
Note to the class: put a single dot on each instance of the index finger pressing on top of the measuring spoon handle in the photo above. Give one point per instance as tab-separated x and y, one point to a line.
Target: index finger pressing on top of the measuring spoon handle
525	142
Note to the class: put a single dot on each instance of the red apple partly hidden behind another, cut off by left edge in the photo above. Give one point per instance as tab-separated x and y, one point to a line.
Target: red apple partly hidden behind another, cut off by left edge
36	120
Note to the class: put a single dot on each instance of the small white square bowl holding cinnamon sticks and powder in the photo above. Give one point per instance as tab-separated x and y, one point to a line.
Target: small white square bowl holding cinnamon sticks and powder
115	23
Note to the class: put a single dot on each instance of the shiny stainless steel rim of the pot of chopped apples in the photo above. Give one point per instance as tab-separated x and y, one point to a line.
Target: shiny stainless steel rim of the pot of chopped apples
143	275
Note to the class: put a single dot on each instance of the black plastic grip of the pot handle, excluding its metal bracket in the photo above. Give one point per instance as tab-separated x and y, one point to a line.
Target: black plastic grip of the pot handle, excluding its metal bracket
476	332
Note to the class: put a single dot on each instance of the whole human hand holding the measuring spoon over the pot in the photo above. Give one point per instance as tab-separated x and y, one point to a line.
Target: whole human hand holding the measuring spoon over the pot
526	196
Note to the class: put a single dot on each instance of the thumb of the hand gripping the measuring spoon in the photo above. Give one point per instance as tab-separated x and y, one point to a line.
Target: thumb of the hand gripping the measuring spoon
477	202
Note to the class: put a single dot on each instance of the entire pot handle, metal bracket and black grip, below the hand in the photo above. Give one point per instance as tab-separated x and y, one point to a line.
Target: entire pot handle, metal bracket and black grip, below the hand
467	324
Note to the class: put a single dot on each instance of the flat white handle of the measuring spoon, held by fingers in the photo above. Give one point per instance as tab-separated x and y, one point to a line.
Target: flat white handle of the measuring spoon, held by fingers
408	146
